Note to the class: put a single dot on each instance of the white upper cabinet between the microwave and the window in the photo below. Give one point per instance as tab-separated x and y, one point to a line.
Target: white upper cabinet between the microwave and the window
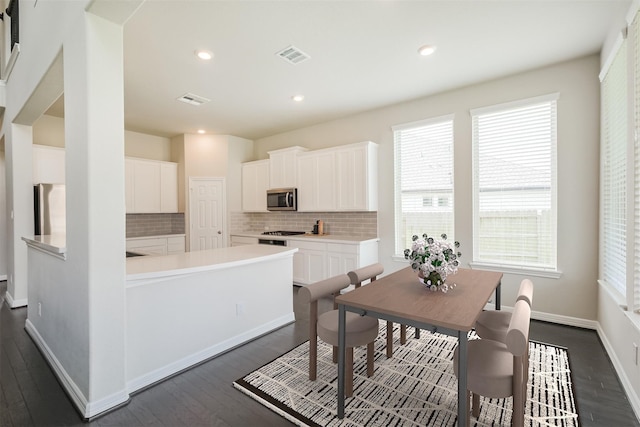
343	178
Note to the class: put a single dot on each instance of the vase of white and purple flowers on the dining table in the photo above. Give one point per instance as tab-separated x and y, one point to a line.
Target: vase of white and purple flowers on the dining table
434	260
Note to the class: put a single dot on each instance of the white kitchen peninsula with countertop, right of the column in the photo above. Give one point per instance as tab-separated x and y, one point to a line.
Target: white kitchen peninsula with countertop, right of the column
185	308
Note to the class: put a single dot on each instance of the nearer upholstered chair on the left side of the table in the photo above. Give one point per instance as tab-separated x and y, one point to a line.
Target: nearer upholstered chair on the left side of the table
360	330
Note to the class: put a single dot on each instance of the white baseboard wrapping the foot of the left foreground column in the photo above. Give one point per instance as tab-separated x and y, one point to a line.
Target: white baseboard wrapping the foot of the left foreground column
86	408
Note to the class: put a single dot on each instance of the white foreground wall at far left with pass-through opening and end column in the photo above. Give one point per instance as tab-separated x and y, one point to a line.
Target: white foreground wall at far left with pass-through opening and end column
82	298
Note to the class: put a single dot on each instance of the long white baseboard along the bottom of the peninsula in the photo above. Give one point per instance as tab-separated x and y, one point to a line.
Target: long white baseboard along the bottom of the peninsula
202	355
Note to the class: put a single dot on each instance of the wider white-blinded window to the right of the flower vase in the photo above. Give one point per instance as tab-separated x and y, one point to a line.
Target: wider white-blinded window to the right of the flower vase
514	174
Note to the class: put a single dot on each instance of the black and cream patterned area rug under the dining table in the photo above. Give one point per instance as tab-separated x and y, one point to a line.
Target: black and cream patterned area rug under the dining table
416	387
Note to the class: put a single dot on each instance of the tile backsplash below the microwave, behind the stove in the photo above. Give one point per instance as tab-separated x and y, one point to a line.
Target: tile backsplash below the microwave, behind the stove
357	224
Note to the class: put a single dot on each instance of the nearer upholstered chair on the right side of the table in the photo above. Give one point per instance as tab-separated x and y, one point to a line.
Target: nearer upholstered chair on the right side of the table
496	369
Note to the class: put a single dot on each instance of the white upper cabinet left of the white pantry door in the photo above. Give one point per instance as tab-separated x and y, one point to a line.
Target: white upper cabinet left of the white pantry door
151	186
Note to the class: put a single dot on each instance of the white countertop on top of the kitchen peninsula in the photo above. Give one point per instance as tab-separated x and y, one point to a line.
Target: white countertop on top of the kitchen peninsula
148	267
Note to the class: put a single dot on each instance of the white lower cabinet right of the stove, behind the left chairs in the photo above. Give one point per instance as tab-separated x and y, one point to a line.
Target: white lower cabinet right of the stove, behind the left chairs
317	261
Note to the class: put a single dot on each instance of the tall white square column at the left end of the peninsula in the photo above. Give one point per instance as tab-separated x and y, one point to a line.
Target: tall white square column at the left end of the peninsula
94	140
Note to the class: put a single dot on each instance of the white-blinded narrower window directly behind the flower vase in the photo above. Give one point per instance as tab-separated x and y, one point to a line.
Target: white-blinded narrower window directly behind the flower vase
424	179
